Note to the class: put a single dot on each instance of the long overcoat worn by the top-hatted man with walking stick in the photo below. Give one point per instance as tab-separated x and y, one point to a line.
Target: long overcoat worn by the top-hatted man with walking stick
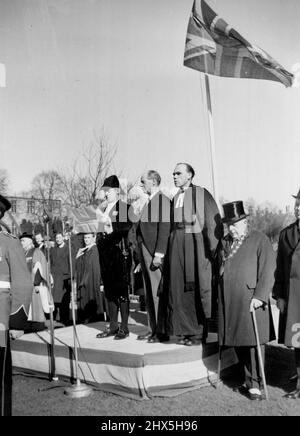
248	274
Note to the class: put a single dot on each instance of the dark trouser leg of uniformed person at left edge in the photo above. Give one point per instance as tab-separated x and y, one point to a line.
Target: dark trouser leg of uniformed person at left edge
5	379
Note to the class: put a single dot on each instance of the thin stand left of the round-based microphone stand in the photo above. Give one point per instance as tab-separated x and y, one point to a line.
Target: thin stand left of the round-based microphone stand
53	375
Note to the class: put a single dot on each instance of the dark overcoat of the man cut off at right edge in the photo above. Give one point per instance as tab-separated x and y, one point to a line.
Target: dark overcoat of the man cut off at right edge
287	283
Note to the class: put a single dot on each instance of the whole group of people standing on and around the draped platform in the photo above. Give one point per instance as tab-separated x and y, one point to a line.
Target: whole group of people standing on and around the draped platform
190	260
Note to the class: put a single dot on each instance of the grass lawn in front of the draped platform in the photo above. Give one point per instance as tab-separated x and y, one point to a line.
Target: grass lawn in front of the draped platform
38	397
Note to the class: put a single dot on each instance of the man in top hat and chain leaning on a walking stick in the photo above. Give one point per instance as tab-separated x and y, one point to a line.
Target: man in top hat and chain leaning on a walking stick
246	265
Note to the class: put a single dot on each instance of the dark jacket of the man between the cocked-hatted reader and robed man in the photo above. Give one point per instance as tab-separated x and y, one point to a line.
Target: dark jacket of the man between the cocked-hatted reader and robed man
154	225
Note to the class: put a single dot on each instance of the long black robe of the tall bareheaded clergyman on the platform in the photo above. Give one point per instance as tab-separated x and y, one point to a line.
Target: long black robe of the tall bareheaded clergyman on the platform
195	231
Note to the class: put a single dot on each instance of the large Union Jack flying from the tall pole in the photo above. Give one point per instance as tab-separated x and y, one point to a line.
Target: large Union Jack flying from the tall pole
214	47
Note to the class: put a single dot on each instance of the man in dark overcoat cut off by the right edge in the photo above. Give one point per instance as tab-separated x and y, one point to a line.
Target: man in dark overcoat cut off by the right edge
287	289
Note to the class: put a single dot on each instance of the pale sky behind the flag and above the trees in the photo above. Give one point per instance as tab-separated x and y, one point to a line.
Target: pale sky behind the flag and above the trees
75	67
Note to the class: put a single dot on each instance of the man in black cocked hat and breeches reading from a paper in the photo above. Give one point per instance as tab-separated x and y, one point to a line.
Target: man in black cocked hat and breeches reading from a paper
115	259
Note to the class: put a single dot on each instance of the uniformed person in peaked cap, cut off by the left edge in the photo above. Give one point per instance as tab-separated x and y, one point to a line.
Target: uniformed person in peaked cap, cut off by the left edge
15	297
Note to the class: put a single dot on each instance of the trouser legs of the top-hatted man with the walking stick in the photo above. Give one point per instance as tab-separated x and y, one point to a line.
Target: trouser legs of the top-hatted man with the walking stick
248	357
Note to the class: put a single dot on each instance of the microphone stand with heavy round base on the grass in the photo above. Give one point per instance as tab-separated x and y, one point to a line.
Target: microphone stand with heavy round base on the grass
78	389
